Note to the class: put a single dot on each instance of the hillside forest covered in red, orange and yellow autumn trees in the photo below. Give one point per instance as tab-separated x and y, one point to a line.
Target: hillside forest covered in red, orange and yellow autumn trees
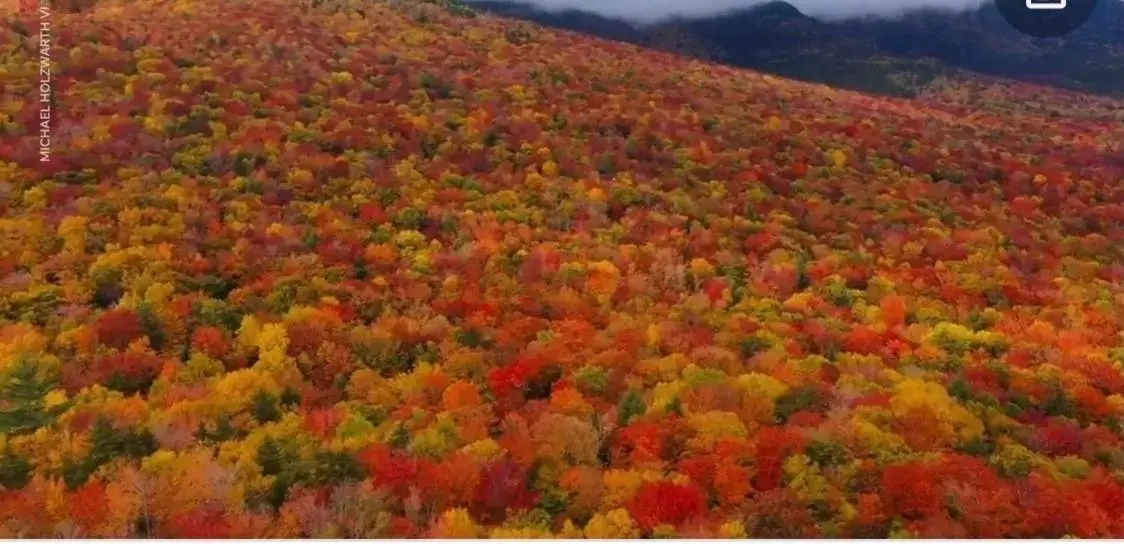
394	270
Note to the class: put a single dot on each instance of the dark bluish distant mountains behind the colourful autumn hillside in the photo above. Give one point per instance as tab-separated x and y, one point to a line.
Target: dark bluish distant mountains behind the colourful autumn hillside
886	56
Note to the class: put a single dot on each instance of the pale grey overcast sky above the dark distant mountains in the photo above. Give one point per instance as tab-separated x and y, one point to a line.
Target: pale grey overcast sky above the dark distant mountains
647	11
